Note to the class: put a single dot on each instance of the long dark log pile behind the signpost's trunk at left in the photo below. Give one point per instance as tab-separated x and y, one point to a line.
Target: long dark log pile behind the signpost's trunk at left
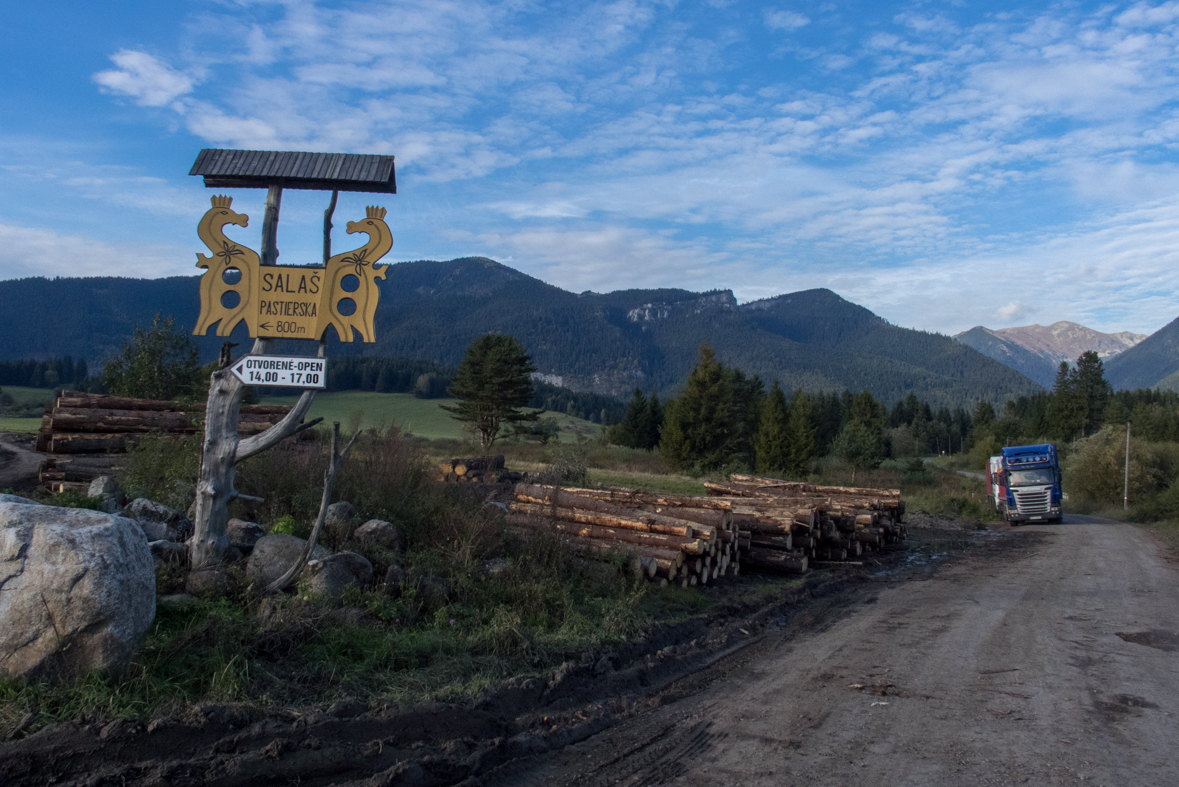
82	432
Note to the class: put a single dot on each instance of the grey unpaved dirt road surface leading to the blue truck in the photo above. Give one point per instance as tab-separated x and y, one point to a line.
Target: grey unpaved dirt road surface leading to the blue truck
1050	657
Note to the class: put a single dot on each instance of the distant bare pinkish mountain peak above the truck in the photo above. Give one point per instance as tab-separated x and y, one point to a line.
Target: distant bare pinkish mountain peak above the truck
1038	350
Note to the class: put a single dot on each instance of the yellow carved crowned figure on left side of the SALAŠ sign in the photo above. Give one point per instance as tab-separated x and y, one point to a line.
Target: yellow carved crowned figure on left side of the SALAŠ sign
228	256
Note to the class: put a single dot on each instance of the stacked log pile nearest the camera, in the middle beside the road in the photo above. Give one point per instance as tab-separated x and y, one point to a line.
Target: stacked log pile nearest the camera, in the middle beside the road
666	538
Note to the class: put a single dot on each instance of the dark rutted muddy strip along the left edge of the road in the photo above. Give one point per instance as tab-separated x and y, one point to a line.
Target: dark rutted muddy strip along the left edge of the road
628	707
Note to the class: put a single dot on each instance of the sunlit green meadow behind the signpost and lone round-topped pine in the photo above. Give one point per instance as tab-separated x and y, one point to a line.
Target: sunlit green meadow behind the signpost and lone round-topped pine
420	418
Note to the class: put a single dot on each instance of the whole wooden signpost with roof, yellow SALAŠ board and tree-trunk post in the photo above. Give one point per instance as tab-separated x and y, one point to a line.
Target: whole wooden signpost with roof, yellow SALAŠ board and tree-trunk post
276	302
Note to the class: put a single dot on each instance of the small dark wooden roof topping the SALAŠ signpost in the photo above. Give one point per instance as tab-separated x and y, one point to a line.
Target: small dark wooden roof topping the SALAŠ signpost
225	169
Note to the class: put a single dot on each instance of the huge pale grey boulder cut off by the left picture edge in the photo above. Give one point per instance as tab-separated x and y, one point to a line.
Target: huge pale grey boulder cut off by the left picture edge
77	591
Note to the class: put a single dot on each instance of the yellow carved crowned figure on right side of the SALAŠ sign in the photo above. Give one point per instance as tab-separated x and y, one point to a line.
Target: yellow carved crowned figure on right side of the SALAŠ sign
360	263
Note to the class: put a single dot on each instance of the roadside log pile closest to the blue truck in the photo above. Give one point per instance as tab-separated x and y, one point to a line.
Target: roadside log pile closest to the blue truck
793	521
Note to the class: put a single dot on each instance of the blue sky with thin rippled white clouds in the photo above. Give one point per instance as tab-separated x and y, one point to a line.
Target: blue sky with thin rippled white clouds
945	166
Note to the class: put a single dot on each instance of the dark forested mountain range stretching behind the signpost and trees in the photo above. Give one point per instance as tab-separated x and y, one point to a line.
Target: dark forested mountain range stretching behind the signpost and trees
607	343
